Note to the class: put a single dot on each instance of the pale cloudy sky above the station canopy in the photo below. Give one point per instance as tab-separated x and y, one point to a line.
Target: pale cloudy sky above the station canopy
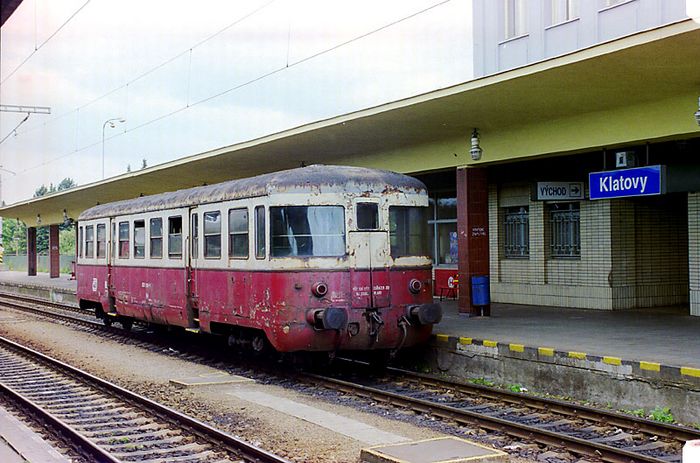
189	79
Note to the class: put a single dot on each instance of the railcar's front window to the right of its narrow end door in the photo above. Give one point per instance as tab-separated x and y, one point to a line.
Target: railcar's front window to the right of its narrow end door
408	231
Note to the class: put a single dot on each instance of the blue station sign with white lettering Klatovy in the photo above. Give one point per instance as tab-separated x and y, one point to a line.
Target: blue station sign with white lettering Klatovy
625	183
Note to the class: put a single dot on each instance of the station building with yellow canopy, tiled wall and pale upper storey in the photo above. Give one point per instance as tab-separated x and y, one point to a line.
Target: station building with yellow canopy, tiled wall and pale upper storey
566	171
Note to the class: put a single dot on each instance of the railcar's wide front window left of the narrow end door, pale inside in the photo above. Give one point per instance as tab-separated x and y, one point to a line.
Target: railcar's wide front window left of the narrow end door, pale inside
306	231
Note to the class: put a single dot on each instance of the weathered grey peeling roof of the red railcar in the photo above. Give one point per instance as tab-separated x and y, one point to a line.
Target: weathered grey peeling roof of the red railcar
314	179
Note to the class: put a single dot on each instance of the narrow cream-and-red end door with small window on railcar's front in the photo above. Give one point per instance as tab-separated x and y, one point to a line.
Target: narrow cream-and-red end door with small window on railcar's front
369	247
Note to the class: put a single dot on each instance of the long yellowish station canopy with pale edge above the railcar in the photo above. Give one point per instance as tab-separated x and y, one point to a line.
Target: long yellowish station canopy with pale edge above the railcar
634	71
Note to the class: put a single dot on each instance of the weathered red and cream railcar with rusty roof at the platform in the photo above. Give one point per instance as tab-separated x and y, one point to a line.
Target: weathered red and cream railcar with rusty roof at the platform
320	258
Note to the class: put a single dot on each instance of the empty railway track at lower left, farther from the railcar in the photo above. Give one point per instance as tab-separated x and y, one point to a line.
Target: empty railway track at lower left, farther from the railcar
108	423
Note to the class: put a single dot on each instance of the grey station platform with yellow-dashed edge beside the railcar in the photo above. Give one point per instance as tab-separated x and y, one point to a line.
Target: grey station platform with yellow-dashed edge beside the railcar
647	358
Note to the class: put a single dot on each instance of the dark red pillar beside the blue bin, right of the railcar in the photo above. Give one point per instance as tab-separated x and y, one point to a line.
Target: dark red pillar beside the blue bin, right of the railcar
473	235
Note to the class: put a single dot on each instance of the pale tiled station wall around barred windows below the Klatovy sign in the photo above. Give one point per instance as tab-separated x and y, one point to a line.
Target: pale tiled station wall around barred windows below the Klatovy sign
634	253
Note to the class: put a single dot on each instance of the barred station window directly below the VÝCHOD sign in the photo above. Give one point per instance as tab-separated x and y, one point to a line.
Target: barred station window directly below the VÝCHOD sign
565	230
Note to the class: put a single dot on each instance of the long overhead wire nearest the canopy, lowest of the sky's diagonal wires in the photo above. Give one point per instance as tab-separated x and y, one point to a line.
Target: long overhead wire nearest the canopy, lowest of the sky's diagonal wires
245	84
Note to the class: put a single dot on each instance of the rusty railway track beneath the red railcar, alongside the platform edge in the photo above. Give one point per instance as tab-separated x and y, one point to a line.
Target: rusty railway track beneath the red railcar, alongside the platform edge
558	426
